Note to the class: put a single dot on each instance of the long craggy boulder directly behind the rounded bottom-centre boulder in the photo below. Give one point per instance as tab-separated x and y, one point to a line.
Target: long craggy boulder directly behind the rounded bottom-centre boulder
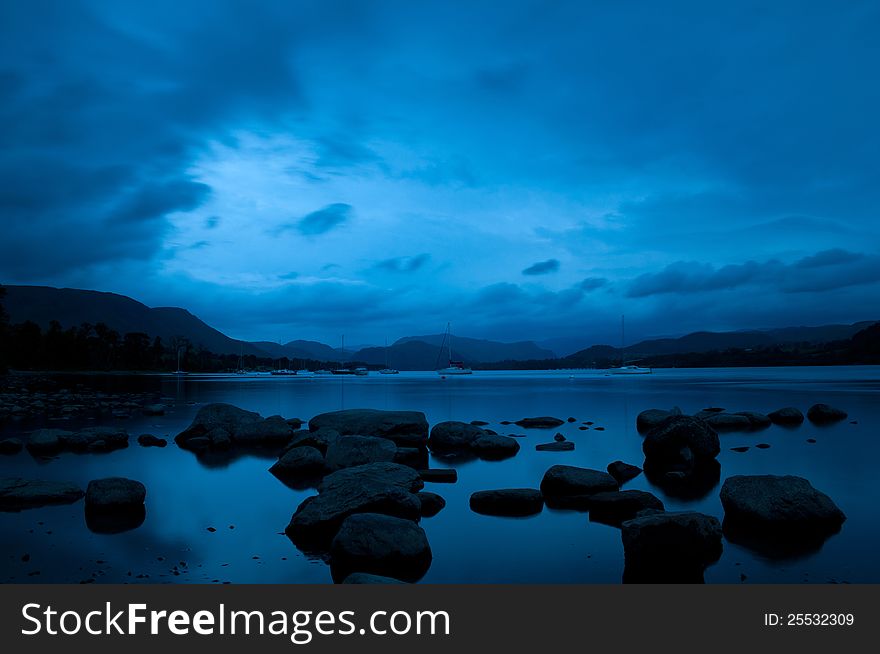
386	488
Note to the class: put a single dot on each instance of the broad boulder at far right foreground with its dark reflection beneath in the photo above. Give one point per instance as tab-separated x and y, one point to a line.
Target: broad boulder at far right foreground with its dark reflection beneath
777	514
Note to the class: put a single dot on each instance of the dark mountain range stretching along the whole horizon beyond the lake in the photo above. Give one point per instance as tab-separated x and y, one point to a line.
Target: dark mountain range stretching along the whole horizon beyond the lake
72	307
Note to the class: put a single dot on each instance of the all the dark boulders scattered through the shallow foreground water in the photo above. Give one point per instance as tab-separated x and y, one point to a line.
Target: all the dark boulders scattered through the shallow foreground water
369	469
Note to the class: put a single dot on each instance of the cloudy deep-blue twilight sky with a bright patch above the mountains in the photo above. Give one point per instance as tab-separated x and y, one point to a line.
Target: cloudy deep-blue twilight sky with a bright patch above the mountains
523	170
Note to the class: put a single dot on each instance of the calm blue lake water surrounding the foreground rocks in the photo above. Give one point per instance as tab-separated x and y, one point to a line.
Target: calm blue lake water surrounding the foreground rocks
184	498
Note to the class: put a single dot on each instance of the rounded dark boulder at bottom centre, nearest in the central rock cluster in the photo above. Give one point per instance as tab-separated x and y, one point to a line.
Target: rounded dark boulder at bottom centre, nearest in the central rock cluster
381	545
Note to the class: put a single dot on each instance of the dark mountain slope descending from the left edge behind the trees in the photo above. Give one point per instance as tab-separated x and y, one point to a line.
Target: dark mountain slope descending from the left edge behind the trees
72	307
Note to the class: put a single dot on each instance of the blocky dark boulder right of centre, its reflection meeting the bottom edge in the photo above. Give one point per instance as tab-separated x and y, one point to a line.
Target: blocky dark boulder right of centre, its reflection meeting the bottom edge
670	547
